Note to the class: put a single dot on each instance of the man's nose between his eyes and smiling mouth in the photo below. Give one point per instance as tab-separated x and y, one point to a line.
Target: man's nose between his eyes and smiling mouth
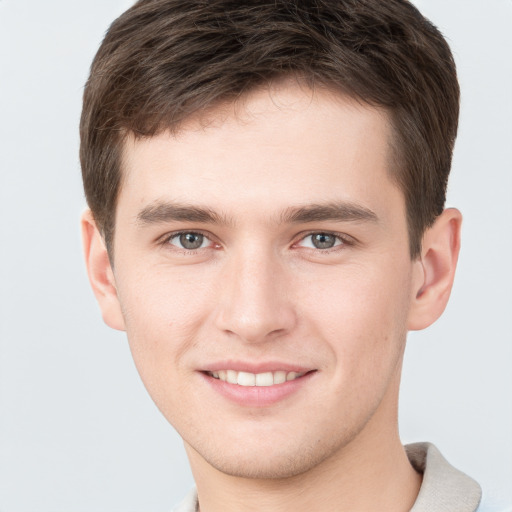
254	301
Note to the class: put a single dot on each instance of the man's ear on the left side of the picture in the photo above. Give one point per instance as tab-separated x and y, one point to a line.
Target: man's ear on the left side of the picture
101	275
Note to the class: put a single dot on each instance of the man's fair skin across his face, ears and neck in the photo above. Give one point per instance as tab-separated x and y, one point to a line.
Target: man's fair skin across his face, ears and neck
258	291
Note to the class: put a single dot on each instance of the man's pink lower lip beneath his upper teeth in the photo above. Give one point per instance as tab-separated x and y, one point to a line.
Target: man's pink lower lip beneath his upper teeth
257	396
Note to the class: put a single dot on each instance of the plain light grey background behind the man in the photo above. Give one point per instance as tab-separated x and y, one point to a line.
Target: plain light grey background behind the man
77	431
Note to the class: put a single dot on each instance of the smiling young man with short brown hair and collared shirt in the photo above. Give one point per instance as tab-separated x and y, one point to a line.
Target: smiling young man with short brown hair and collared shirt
266	183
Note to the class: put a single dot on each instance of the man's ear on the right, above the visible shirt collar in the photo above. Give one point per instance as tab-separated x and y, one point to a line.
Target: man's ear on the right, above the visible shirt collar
435	270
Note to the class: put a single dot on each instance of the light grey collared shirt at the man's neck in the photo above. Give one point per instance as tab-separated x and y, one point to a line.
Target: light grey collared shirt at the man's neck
444	488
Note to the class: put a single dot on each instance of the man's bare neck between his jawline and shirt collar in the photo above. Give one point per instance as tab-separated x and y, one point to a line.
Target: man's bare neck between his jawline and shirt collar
372	472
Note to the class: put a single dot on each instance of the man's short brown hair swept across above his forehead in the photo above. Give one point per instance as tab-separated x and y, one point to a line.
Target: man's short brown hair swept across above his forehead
164	60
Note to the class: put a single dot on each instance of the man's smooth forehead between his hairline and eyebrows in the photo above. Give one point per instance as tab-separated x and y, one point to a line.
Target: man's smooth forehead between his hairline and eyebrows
275	146
